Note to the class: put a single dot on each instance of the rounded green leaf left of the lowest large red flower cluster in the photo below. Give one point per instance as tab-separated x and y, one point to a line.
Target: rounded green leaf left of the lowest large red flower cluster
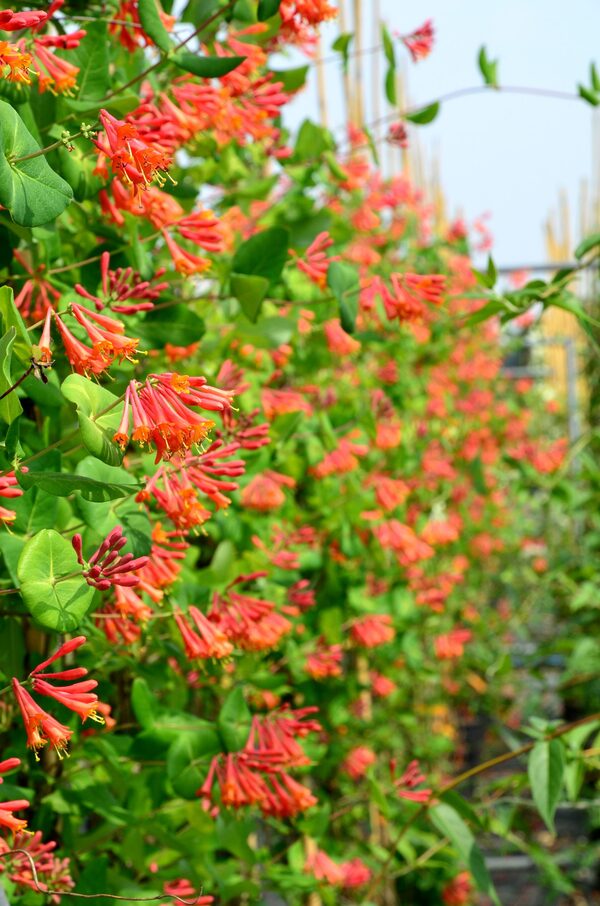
189	757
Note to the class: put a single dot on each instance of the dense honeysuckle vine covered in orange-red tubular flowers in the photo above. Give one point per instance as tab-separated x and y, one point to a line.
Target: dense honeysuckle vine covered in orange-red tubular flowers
274	521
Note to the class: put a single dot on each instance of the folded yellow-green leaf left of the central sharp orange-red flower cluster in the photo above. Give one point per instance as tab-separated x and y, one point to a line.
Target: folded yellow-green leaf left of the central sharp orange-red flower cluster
97	426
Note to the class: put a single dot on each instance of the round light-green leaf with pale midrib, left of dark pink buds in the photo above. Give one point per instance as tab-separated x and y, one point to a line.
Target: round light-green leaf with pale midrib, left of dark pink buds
51	584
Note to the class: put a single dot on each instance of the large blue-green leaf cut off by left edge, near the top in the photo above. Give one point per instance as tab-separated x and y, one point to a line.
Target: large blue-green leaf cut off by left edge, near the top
31	191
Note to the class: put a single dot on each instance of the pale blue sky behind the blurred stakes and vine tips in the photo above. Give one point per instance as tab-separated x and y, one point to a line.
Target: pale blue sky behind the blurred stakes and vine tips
504	154
